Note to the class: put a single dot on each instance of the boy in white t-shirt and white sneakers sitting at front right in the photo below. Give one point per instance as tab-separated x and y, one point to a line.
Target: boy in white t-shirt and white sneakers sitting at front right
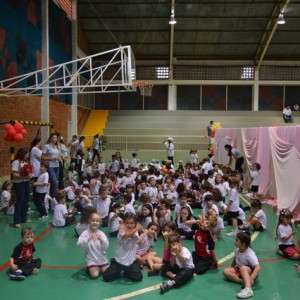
245	266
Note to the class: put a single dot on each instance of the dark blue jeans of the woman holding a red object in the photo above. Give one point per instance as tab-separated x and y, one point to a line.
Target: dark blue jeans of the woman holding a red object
22	198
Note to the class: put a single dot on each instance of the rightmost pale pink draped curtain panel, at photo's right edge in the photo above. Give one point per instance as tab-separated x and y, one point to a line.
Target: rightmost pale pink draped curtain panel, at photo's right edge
285	149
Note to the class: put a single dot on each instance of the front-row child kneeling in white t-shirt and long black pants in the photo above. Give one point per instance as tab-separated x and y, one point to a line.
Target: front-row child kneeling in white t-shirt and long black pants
125	257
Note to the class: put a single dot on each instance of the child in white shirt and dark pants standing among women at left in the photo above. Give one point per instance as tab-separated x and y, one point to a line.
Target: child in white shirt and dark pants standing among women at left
41	185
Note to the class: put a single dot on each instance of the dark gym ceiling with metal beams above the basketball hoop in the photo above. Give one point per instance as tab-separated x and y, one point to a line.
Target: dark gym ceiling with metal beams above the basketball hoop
206	30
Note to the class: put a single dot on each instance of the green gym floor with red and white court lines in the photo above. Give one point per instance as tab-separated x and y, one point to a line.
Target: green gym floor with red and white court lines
63	274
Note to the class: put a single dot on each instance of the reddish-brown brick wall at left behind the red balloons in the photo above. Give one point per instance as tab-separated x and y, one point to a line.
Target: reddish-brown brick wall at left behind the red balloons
28	109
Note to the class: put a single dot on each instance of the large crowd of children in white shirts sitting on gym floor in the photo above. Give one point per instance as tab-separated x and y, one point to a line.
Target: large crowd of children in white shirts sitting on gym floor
165	195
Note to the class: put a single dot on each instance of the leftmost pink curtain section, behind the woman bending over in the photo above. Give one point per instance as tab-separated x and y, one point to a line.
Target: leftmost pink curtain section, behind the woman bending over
231	136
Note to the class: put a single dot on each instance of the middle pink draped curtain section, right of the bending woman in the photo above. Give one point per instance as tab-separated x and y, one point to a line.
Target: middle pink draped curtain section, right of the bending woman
256	145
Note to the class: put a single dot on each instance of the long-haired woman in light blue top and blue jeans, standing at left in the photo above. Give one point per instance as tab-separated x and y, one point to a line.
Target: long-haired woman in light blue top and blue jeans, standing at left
52	154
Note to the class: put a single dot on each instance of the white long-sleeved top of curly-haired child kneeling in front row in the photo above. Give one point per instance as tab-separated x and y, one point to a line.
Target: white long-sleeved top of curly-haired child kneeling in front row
95	254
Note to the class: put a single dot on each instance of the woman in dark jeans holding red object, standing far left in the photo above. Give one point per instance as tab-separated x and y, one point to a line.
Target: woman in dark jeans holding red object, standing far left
21	174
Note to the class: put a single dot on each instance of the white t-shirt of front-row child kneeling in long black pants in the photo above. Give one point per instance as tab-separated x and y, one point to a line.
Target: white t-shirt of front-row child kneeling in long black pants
126	249
